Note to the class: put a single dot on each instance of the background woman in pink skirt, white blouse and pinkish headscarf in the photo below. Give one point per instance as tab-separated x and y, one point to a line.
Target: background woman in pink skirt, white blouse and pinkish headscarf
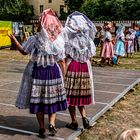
107	48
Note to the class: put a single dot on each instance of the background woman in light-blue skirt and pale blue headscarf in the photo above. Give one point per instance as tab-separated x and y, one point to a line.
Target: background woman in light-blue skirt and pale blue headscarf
119	48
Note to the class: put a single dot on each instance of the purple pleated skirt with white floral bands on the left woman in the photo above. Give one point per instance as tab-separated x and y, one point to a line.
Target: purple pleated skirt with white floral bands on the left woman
48	93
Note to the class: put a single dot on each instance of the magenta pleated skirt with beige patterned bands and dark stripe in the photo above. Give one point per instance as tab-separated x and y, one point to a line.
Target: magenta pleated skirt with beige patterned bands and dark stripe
77	84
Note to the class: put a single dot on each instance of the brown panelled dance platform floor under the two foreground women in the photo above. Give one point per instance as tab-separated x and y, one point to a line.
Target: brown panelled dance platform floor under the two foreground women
110	85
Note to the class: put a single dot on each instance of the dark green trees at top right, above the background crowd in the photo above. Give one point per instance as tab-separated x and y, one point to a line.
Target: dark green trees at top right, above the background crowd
111	9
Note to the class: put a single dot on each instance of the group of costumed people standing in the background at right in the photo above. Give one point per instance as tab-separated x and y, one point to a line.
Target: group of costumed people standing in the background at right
124	42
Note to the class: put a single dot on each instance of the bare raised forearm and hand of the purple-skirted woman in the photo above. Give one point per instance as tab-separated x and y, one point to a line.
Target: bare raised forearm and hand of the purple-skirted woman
18	45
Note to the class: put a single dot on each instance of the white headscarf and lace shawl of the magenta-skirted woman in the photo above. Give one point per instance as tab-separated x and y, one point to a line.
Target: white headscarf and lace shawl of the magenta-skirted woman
79	36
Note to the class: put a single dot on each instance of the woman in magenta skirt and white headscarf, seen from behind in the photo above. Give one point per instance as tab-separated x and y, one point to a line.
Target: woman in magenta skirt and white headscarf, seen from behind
79	33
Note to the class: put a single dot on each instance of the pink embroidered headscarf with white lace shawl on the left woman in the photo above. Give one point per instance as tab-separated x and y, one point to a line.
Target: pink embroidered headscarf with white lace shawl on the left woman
49	41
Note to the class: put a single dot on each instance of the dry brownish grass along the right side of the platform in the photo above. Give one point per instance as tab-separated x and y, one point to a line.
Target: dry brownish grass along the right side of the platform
124	114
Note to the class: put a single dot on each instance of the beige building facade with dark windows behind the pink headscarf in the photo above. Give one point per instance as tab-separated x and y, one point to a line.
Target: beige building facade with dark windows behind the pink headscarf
40	5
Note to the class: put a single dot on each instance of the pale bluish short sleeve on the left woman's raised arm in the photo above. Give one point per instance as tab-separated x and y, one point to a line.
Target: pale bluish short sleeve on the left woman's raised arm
29	44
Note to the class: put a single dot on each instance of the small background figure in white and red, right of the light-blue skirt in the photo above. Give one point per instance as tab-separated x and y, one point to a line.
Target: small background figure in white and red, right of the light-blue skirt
130	42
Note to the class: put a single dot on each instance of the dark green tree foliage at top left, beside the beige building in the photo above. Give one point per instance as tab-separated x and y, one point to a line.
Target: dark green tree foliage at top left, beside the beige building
15	10
